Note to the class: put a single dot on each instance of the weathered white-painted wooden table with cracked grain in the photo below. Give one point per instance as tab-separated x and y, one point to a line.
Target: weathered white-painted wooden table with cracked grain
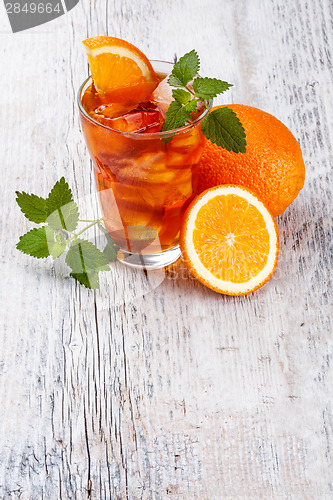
157	387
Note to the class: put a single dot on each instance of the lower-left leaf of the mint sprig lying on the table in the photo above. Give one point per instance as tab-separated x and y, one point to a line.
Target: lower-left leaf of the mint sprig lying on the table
37	242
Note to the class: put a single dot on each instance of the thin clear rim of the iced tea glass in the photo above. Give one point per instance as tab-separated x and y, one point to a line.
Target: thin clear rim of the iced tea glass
148	135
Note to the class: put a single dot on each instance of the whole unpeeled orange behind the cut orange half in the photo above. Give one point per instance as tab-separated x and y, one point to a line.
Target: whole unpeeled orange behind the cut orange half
272	166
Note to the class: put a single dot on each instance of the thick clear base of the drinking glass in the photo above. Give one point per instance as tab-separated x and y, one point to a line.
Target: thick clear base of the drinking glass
149	262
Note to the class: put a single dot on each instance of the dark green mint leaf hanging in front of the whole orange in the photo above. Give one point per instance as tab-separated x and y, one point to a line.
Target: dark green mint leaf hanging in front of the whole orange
223	127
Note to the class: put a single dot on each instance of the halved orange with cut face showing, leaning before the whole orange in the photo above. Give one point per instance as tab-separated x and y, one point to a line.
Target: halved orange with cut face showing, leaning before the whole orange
229	240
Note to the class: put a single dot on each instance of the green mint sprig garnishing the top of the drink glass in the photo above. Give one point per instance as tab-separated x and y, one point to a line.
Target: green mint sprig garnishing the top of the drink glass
221	126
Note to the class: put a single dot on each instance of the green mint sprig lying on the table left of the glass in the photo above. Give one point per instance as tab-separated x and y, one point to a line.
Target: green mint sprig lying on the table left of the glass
60	214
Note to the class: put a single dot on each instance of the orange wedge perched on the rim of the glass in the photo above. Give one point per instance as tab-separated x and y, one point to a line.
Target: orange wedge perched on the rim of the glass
119	68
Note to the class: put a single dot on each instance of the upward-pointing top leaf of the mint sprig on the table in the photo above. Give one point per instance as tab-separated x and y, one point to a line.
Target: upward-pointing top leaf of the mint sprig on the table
62	210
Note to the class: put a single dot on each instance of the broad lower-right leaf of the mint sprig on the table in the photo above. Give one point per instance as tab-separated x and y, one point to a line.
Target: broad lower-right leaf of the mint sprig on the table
84	257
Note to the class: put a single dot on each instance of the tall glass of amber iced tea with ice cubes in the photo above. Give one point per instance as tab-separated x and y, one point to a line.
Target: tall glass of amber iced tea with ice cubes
145	178
